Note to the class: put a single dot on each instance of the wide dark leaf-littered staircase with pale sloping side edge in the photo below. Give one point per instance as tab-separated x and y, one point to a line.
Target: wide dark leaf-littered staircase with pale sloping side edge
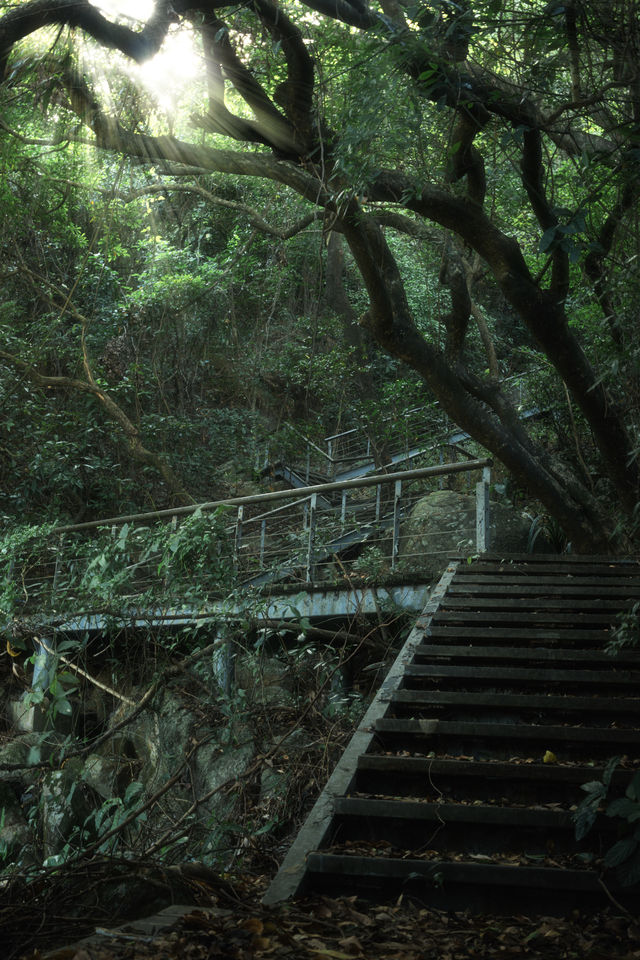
459	785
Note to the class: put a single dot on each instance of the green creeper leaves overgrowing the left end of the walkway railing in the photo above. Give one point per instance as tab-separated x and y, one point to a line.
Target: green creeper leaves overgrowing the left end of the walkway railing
159	564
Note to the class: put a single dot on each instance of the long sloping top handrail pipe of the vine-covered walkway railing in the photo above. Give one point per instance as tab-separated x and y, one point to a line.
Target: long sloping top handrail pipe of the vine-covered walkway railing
296	493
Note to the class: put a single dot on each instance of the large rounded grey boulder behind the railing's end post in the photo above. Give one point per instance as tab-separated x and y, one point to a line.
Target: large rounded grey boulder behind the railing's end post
443	525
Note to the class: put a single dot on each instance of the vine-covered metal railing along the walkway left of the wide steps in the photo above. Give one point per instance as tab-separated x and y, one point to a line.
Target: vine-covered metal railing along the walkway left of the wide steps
330	532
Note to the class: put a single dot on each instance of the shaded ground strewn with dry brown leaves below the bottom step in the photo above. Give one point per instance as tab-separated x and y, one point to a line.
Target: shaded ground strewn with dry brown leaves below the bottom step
233	924
